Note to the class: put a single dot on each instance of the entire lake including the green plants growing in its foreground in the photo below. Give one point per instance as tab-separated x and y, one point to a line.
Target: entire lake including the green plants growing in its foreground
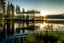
17	32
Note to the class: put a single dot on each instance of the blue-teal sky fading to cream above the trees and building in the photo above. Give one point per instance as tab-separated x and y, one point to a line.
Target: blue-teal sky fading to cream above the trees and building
51	6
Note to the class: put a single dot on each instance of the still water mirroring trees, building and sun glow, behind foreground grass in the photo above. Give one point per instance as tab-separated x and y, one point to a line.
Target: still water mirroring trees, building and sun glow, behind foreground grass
22	29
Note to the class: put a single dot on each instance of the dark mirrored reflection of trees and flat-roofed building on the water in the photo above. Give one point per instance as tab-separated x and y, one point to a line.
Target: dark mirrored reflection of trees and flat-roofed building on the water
11	28
